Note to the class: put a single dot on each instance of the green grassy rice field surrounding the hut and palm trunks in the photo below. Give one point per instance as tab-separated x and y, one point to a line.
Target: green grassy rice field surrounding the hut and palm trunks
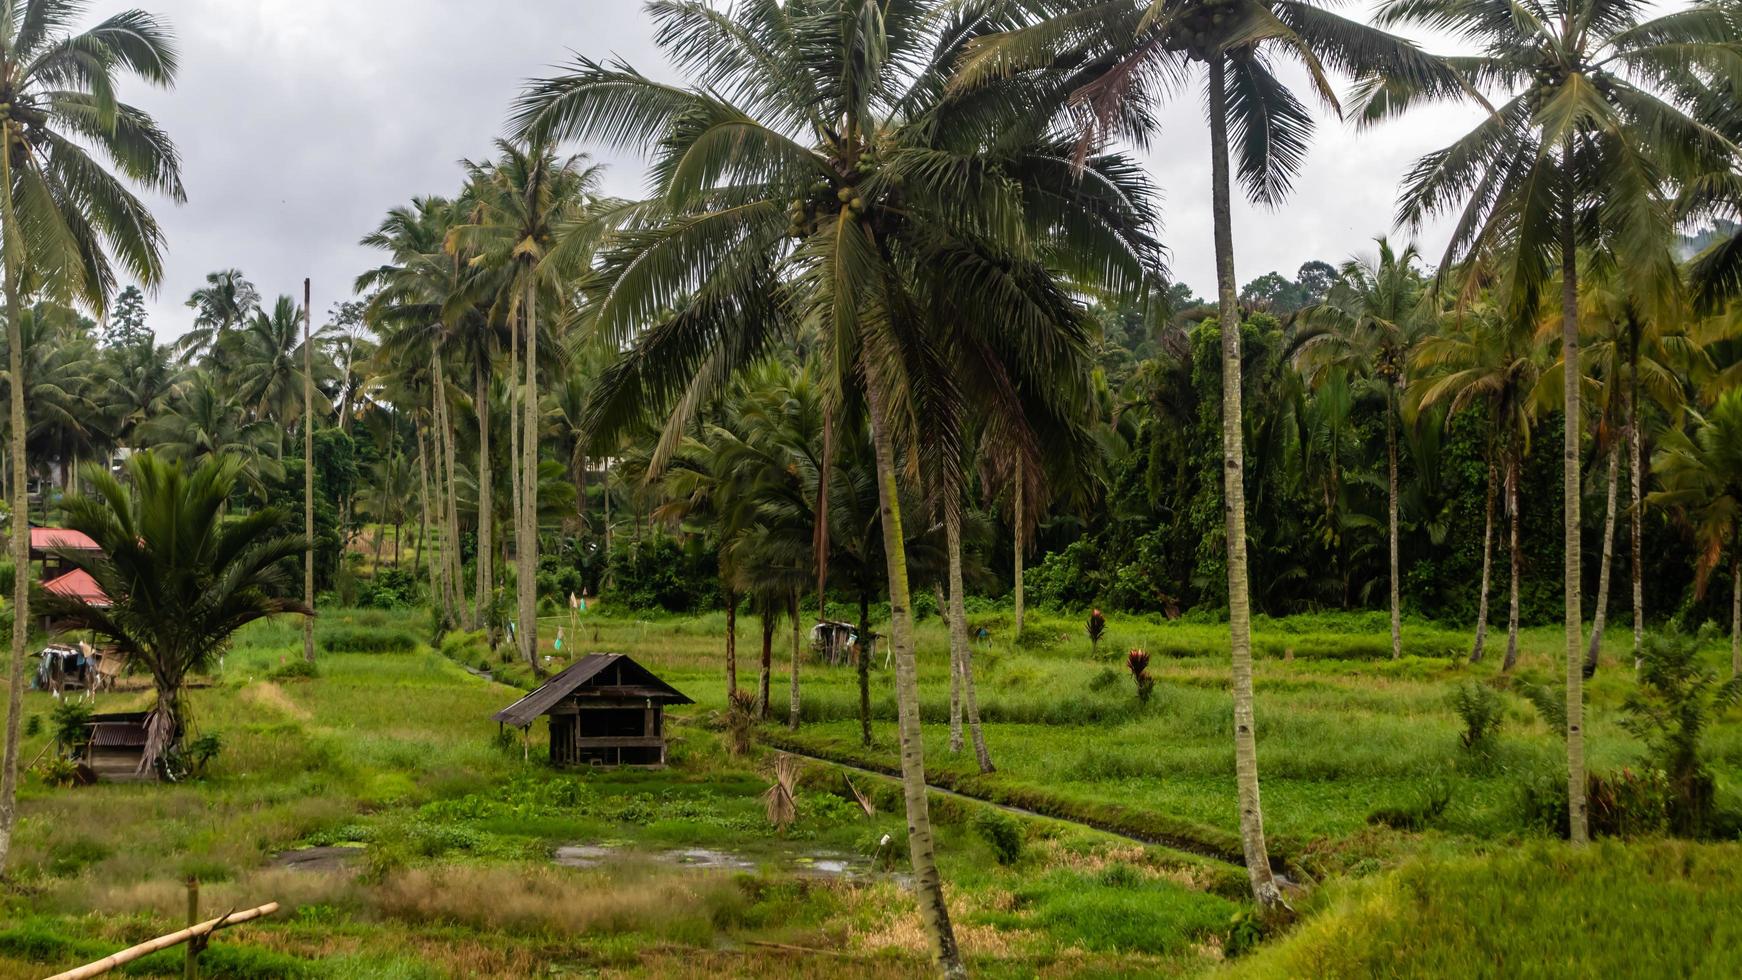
405	836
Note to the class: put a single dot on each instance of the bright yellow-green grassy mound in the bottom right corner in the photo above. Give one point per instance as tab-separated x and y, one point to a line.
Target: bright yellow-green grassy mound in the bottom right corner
1541	911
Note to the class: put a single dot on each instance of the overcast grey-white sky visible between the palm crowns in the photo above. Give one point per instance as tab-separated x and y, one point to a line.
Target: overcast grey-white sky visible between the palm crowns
300	123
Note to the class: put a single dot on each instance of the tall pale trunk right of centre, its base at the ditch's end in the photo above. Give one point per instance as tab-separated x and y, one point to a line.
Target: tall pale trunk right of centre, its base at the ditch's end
1234	507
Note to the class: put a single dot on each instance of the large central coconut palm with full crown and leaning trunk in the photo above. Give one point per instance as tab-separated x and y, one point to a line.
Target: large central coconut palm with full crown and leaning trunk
818	173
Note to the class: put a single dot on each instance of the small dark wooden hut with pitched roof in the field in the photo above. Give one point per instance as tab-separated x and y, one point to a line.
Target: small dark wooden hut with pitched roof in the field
605	711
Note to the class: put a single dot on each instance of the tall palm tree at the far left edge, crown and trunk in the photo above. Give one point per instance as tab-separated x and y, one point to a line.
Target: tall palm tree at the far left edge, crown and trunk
67	218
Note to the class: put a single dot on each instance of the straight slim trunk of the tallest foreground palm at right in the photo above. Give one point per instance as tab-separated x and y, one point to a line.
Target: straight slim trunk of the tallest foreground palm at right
1570	493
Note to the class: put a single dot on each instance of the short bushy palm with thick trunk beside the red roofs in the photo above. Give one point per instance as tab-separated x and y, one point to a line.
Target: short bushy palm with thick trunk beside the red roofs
180	575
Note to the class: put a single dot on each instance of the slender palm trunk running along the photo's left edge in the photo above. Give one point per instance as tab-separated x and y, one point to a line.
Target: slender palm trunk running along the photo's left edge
20	554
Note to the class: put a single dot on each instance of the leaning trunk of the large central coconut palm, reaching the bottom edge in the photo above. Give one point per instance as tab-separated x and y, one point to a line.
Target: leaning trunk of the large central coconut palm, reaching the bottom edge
928	883
